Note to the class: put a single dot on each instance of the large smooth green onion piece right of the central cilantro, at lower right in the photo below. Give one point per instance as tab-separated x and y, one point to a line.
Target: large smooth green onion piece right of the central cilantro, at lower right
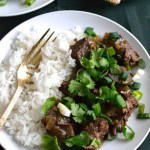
119	101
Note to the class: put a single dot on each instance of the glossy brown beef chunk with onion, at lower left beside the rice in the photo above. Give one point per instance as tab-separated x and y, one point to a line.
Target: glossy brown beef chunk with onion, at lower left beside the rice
58	125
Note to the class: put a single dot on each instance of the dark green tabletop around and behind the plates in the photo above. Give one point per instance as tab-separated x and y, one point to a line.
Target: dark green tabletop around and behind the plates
134	15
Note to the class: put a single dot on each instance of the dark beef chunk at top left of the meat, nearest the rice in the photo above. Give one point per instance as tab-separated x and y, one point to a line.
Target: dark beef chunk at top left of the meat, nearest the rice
82	48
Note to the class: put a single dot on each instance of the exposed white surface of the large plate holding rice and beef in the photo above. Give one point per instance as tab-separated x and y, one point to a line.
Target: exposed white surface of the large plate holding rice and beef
67	20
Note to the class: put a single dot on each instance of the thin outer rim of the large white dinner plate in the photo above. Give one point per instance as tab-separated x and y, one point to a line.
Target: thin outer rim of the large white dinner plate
93	14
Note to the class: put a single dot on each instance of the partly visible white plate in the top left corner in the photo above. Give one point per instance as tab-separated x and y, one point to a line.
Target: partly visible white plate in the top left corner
16	7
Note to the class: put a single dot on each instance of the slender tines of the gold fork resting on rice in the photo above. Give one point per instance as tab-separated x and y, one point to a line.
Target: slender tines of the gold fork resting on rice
34	56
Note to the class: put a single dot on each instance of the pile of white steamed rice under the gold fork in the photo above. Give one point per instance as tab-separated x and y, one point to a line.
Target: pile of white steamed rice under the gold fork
24	122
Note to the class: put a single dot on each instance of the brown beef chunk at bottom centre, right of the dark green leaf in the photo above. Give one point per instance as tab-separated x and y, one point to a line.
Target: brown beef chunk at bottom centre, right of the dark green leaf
98	129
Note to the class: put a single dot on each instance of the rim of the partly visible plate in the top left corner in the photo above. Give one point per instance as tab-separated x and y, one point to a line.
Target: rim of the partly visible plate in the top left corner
26	11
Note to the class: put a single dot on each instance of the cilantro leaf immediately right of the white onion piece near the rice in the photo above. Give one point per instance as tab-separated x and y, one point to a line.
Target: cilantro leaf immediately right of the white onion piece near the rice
78	113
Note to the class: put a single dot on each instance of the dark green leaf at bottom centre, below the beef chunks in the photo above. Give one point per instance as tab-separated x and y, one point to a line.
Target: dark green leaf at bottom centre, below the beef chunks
80	140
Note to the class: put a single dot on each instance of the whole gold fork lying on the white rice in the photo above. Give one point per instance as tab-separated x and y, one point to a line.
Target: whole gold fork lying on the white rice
24	72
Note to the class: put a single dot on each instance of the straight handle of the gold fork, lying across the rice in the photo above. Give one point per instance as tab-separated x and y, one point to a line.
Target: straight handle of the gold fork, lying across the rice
10	106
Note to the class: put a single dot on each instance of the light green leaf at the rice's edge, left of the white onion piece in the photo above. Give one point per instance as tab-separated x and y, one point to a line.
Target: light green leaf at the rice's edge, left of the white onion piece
49	103
